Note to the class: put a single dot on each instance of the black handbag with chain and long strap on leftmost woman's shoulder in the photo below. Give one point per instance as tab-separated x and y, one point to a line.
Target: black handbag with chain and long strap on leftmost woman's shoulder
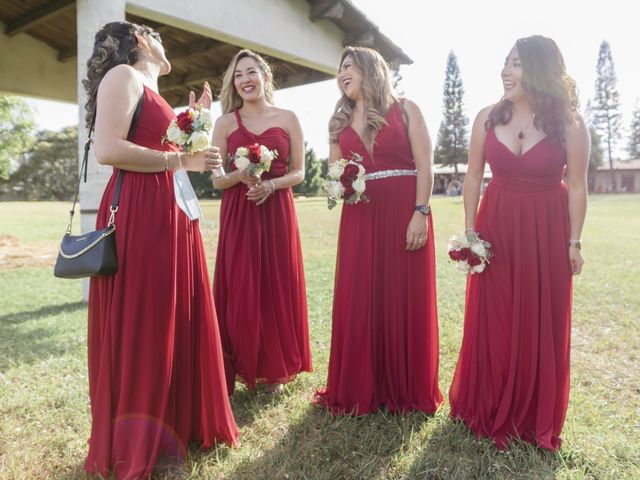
93	253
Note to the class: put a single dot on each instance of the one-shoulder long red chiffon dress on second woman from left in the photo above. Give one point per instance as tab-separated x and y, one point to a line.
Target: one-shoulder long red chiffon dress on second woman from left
259	284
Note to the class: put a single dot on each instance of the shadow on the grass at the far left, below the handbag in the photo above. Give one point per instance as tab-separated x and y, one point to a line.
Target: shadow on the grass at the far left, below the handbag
25	344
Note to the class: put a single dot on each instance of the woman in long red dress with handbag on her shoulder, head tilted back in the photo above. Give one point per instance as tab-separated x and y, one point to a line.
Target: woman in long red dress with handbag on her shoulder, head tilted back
155	360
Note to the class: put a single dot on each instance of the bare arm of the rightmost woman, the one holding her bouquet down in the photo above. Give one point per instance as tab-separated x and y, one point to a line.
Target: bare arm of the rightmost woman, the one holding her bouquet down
475	170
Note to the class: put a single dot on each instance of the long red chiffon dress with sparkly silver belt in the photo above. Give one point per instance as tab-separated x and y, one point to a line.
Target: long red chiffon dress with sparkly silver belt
384	339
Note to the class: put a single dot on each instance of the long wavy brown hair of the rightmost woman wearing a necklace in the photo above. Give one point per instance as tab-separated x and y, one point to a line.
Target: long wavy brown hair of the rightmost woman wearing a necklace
554	95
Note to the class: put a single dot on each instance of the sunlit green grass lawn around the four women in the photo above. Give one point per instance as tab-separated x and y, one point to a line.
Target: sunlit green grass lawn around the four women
44	410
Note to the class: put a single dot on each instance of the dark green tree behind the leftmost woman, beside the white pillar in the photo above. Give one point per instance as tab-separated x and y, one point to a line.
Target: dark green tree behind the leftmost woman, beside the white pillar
49	170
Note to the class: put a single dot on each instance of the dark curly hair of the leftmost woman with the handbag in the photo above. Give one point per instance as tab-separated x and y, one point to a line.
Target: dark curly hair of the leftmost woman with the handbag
115	44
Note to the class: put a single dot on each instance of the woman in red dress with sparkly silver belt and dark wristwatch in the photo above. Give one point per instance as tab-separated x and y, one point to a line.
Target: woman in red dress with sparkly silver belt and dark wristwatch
384	341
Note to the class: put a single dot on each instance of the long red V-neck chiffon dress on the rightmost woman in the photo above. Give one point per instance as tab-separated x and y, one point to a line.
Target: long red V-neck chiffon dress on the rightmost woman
512	378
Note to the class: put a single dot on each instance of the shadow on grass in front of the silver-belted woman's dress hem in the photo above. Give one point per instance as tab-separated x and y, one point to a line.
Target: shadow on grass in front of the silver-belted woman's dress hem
319	446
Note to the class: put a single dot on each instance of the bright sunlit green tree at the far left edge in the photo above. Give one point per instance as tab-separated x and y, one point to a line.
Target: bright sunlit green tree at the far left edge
16	125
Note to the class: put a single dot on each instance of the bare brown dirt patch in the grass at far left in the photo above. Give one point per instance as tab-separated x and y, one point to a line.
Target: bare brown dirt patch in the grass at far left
16	254
